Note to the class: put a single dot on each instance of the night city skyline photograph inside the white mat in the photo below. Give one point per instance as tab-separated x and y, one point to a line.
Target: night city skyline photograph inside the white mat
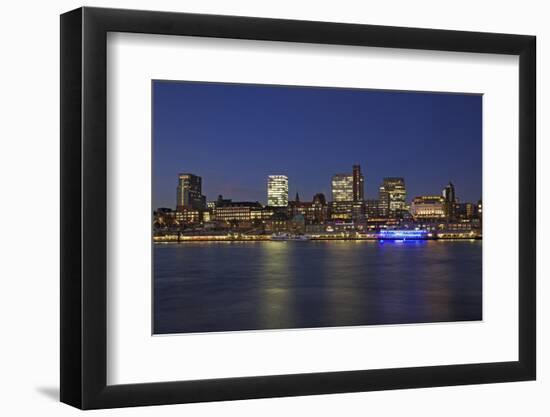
295	207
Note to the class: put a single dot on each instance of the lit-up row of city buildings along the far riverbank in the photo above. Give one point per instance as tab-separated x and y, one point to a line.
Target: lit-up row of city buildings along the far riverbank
347	212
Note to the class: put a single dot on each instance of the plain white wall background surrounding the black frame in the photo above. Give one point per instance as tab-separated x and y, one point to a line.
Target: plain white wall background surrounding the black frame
29	175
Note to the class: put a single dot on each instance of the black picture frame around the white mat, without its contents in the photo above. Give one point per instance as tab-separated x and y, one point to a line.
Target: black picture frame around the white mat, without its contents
84	207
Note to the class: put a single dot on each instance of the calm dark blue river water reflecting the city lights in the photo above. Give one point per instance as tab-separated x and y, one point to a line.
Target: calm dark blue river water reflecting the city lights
227	286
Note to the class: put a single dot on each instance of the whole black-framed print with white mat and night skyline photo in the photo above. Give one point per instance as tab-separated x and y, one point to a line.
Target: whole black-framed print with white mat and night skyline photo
258	207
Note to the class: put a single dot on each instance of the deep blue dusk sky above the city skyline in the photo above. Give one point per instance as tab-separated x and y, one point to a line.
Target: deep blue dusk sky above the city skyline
234	135
